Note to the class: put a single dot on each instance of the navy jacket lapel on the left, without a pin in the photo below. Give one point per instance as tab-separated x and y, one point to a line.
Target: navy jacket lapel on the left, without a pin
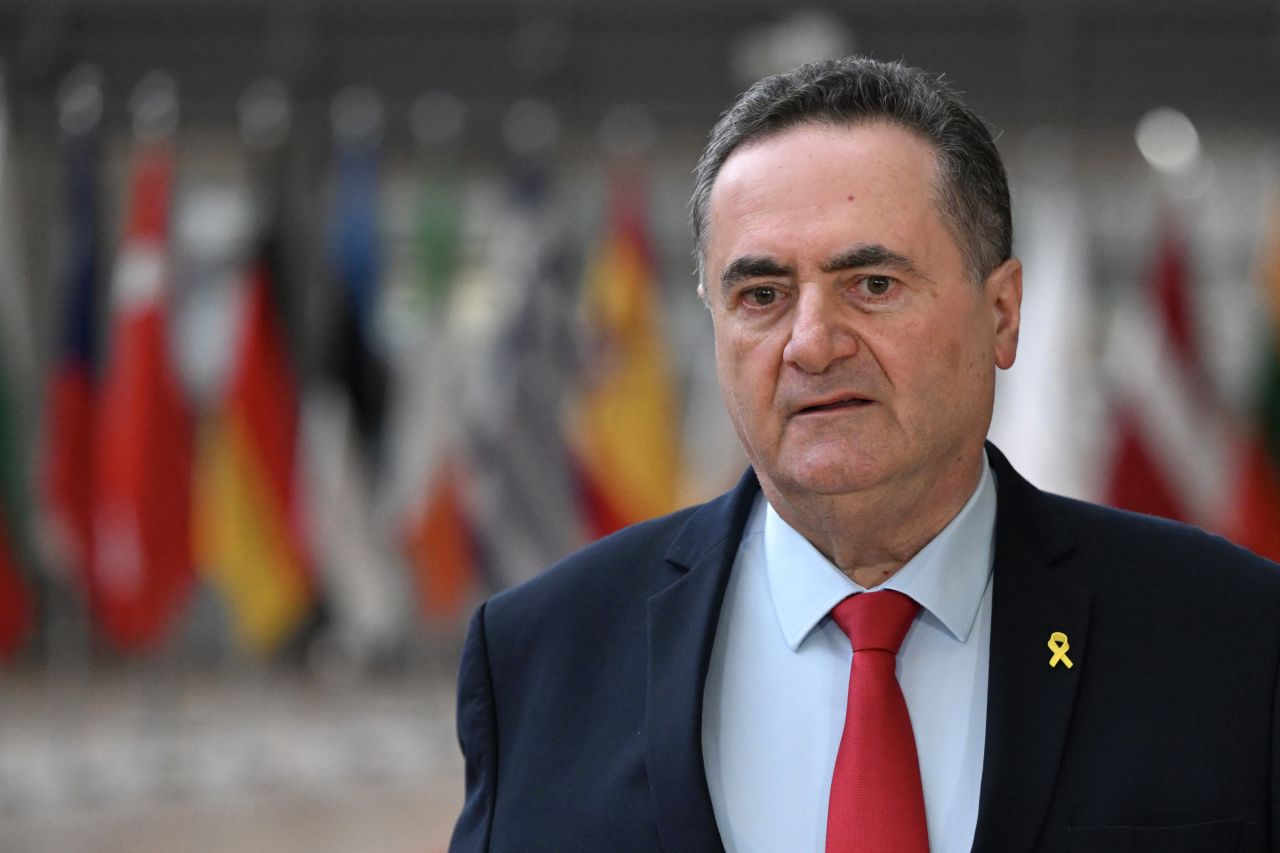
683	621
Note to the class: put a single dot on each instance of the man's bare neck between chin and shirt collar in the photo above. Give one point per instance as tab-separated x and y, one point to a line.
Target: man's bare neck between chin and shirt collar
872	533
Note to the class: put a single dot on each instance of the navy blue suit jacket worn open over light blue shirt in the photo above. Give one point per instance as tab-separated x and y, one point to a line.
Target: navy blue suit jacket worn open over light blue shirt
580	694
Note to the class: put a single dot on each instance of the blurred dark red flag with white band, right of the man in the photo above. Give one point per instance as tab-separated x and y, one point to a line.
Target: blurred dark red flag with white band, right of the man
1169	441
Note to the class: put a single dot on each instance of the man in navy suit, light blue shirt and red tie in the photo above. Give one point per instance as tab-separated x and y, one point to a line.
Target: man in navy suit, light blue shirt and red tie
1043	676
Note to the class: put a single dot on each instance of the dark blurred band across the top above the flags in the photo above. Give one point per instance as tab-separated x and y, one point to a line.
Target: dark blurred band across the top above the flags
1081	63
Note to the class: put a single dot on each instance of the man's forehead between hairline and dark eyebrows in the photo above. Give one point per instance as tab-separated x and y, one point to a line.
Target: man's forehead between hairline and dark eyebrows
875	174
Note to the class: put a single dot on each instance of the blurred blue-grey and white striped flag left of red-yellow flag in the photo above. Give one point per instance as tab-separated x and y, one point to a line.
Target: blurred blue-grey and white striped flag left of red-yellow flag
523	494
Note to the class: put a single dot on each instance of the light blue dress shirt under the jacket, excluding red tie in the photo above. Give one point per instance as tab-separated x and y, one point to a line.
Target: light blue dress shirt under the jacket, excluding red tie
779	682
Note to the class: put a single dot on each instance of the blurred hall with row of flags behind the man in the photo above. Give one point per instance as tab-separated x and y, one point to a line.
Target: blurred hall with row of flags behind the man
321	322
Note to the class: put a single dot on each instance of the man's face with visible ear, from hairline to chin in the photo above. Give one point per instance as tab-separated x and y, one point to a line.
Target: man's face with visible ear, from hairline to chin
854	352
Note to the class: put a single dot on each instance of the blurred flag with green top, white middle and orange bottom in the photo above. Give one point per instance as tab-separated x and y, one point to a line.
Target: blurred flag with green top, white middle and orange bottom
431	473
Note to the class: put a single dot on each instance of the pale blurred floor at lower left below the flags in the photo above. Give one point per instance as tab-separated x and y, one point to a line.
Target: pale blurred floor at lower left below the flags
148	761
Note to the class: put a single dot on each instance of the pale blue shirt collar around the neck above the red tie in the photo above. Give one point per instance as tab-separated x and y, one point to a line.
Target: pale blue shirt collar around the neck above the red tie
948	577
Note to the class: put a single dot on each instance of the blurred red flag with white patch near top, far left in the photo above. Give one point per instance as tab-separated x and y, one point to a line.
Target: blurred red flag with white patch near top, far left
143	572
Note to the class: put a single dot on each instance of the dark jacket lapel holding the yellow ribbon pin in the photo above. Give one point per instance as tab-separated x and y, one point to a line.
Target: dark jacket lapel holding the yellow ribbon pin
1028	701
